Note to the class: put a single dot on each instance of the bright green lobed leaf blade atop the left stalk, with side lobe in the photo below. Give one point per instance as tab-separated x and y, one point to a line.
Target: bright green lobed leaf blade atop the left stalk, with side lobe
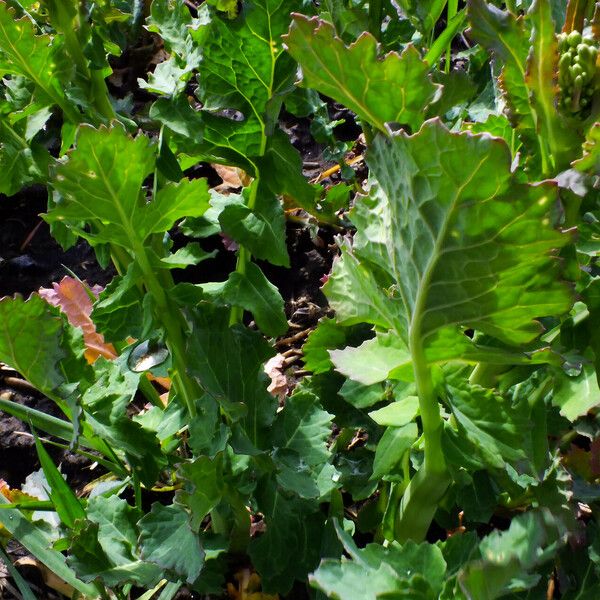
101	184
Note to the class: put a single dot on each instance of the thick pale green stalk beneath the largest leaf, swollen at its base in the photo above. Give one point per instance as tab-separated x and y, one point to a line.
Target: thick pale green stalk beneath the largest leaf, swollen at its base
426	489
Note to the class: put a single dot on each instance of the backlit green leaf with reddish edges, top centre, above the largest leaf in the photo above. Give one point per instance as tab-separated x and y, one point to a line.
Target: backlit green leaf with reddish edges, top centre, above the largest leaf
395	89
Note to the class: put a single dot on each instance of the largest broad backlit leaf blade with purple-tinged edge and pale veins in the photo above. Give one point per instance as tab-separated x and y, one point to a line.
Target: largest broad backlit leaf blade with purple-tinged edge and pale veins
466	243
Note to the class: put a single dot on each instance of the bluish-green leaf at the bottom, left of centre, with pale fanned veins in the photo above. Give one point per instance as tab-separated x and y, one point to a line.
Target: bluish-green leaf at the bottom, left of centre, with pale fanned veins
167	540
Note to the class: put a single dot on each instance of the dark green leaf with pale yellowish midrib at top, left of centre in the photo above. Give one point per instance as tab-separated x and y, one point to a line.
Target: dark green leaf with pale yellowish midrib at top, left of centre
243	68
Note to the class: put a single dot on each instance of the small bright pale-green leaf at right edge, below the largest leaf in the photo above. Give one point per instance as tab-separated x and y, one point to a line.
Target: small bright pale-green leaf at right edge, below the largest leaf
576	396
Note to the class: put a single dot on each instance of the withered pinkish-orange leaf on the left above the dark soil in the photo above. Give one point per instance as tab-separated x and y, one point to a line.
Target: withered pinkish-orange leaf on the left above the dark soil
72	297
